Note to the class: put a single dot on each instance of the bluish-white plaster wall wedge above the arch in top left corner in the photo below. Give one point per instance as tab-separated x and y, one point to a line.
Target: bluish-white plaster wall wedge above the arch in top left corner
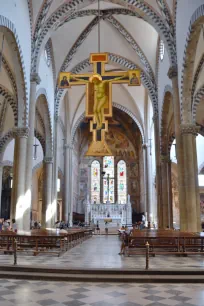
17	12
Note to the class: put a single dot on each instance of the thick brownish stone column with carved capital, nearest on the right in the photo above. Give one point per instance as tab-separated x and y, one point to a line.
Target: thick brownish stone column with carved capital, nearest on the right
192	203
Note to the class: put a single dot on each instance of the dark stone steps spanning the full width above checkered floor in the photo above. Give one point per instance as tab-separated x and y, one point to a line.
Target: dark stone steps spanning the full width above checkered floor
101	275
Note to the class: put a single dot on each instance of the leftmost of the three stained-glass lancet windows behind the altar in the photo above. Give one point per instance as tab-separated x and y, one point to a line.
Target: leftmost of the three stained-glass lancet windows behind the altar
95	182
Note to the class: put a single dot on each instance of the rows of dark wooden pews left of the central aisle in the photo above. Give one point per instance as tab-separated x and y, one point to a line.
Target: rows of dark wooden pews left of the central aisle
43	241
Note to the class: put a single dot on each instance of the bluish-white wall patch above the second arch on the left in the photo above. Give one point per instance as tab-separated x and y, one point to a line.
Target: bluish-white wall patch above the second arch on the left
46	77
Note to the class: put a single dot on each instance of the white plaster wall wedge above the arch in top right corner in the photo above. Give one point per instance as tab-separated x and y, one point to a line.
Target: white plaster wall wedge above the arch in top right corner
185	10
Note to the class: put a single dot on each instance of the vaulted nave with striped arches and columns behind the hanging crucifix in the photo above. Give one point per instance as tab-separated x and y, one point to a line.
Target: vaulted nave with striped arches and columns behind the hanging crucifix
157	129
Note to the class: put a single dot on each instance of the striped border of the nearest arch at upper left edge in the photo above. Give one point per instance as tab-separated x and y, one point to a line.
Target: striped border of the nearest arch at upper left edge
22	84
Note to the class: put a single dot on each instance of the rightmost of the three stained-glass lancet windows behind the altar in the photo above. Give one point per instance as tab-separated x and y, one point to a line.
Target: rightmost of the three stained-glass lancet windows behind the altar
122	182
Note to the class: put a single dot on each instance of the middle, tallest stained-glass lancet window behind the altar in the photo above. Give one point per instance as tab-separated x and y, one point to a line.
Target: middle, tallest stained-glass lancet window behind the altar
108	179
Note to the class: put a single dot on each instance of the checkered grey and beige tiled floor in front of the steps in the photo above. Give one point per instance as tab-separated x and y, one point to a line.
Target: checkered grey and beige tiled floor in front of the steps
36	293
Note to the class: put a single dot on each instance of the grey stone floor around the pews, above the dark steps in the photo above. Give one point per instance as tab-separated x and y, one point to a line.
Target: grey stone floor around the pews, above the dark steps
102	252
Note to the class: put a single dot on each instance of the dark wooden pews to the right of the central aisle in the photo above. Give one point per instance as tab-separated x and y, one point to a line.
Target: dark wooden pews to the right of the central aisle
165	242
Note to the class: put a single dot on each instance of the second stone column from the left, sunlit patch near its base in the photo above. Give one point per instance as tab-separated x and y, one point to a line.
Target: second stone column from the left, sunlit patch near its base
47	207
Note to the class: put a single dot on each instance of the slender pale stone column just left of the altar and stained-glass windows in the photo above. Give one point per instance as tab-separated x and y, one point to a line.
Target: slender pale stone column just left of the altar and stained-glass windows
68	183
